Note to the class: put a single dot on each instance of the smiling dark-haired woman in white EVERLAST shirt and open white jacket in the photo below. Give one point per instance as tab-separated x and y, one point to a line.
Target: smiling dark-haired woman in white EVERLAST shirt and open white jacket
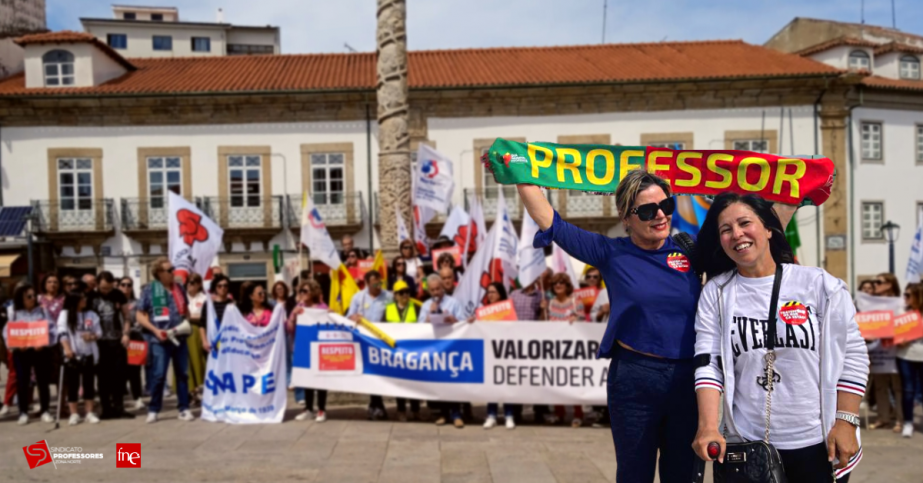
819	365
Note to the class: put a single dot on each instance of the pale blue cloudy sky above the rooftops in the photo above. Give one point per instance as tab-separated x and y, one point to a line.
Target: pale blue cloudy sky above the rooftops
326	25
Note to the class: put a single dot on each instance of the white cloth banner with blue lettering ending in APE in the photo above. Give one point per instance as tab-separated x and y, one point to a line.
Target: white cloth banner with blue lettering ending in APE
245	381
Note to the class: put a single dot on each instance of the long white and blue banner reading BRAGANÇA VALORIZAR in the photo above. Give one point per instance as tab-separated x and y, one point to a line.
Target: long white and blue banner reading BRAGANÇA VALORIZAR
509	362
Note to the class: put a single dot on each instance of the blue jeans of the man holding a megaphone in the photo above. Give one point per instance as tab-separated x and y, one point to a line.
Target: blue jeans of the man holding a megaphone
160	355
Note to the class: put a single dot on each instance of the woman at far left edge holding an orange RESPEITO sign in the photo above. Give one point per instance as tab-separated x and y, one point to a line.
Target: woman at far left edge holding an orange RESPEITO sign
25	361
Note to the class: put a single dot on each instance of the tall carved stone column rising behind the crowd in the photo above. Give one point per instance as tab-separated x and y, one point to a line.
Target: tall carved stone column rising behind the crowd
393	112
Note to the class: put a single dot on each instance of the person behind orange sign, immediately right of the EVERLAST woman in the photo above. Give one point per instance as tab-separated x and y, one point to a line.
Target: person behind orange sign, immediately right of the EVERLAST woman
887	384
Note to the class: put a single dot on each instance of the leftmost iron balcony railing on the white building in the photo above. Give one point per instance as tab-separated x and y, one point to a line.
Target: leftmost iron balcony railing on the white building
52	216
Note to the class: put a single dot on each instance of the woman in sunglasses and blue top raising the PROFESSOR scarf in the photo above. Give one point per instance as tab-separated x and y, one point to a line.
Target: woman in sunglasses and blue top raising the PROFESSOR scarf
651	323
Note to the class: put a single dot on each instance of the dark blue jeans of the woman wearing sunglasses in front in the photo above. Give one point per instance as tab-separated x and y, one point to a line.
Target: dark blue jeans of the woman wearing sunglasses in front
653	408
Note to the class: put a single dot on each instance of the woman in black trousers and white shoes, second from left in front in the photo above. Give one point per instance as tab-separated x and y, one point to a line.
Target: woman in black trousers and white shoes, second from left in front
79	329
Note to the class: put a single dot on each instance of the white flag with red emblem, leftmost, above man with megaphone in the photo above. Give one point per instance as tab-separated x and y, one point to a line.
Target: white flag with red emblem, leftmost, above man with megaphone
193	238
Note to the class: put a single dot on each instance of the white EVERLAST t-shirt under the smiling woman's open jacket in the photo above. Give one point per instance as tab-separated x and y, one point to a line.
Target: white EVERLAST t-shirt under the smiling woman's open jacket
797	386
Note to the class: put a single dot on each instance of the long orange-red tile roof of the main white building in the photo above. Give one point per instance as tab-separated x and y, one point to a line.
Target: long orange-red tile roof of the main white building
496	67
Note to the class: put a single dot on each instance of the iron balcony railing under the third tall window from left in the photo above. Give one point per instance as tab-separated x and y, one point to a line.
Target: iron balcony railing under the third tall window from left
245	211
